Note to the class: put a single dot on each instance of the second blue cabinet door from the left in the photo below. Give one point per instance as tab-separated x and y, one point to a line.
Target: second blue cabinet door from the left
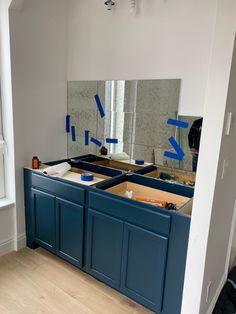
69	231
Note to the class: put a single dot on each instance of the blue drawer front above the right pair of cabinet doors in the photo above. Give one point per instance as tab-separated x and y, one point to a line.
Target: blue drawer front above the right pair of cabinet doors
135	214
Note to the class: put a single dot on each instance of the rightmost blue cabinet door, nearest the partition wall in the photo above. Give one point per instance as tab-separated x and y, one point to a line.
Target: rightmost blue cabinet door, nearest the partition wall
143	266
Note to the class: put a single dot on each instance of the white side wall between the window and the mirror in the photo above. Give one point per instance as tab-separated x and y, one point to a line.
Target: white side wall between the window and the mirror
39	73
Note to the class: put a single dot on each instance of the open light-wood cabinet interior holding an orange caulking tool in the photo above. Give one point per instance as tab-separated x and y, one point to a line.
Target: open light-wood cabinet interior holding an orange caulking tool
151	196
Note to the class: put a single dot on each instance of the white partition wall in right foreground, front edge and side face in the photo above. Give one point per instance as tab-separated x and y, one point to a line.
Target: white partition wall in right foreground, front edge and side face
214	198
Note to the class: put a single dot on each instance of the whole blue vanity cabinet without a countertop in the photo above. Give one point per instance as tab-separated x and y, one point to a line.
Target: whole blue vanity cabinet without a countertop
136	248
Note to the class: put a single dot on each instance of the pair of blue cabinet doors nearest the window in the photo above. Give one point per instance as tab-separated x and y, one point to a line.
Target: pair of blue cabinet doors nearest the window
58	226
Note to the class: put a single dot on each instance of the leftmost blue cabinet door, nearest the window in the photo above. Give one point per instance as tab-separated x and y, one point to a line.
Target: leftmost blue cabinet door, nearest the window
44	219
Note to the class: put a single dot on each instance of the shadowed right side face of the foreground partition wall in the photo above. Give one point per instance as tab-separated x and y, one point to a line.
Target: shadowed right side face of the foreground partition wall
224	197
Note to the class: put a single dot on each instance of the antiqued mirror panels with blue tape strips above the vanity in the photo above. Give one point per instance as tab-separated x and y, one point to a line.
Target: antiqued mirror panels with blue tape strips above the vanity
129	119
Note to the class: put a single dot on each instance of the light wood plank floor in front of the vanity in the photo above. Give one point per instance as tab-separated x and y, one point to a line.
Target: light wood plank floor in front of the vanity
39	282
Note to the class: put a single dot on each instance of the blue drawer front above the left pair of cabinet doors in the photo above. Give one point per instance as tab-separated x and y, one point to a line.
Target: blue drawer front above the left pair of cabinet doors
64	190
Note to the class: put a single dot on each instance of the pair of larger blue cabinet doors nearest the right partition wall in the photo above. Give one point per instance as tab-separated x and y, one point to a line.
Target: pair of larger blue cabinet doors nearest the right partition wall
127	257
